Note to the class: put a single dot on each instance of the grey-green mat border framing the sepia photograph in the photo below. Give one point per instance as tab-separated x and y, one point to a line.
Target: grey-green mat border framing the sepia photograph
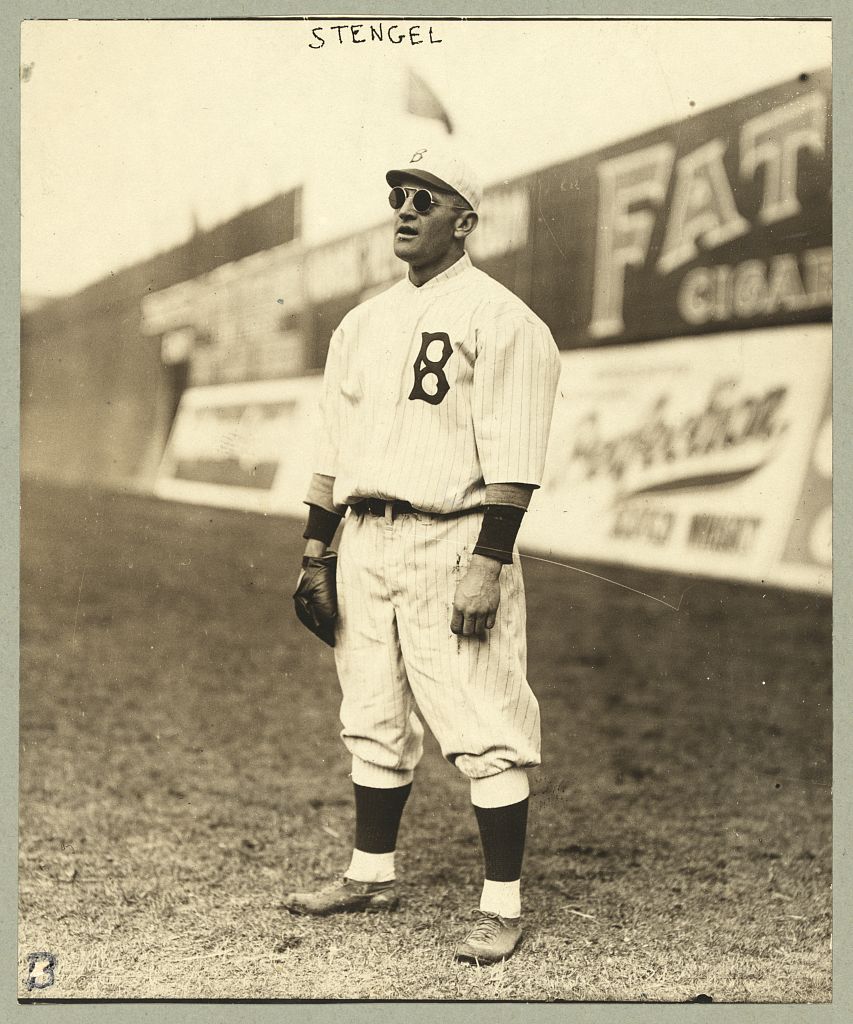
842	1007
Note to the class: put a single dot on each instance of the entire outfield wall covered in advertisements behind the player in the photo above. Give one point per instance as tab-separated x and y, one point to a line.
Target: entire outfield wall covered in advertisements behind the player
687	277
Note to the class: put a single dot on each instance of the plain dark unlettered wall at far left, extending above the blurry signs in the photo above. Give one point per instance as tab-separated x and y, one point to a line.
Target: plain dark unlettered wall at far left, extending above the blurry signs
98	393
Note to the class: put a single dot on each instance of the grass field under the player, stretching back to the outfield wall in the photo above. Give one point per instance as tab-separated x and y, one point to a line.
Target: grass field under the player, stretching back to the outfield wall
182	769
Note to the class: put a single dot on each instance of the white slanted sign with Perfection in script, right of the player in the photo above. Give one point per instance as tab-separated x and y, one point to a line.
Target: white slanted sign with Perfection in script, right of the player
689	455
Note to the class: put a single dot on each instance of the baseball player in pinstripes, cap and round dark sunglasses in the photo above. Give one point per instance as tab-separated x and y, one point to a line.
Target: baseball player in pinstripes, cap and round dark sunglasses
438	404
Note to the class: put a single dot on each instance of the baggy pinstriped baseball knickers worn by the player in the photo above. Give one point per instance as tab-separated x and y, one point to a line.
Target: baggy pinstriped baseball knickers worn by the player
395	649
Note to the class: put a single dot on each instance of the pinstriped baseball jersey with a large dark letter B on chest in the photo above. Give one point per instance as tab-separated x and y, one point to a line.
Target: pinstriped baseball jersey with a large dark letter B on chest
434	392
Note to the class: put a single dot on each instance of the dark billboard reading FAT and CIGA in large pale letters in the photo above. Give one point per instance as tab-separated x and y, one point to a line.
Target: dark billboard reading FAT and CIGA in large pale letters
717	223
